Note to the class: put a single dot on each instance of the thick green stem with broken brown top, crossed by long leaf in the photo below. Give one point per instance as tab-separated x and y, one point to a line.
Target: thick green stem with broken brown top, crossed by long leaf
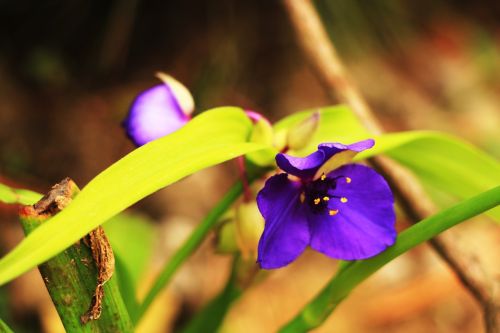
71	276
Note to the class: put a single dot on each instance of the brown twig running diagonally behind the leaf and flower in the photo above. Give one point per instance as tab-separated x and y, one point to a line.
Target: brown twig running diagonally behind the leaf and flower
327	65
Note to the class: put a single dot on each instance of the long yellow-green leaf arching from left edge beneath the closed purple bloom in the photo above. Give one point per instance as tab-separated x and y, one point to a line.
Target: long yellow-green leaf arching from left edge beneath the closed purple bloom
210	138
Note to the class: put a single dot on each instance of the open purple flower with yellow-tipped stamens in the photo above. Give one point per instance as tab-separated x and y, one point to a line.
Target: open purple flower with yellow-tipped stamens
344	211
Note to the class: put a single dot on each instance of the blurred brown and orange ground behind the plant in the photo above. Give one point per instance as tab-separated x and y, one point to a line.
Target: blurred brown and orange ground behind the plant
69	70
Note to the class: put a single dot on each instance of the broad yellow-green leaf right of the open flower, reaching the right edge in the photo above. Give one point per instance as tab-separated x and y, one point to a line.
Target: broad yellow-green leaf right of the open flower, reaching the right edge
447	166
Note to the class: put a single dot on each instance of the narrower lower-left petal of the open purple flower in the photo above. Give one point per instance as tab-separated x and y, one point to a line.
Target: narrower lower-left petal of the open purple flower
286	232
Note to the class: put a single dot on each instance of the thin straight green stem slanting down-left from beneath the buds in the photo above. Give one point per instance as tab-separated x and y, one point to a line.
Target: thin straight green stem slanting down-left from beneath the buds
189	246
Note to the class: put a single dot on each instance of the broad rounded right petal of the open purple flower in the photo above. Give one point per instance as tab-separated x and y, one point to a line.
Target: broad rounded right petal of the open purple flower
361	224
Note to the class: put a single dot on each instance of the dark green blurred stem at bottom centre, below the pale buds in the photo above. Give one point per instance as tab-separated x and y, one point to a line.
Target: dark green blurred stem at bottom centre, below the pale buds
211	316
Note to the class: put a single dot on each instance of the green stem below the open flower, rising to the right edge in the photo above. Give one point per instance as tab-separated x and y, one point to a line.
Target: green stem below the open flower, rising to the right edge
316	312
